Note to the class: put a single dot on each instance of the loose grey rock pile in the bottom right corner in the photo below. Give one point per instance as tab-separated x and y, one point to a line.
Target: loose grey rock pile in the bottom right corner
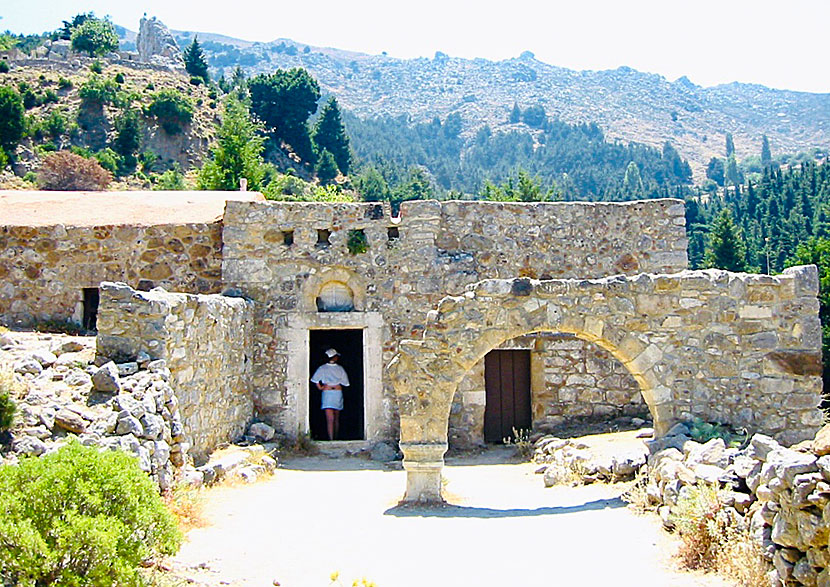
781	494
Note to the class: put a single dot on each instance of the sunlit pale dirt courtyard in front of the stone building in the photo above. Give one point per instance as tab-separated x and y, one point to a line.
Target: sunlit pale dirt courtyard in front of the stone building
318	515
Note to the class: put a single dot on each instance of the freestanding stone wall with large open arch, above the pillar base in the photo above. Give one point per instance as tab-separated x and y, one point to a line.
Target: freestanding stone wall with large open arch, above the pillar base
732	348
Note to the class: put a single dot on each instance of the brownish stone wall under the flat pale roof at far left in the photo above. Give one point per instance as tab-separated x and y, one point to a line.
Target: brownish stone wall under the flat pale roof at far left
43	269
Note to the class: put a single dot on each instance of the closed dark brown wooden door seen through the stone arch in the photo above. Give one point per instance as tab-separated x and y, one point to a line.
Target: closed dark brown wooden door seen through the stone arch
507	385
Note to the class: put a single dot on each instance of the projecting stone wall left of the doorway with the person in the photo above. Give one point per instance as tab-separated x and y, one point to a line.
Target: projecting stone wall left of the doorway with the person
206	341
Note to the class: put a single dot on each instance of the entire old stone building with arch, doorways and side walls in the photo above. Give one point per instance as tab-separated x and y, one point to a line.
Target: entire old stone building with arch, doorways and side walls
457	321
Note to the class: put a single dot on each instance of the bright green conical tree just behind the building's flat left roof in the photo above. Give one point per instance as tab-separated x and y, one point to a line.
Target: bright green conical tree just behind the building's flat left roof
237	153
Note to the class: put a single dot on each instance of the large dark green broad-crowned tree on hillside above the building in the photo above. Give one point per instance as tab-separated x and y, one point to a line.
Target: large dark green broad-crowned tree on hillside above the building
283	101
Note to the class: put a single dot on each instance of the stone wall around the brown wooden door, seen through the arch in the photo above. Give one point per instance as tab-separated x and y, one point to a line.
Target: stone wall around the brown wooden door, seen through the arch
569	378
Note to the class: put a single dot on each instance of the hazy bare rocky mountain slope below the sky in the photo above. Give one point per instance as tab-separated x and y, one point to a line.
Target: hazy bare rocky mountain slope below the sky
629	105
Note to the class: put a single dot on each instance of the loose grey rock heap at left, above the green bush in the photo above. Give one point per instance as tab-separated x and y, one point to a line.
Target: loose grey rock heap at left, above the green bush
129	406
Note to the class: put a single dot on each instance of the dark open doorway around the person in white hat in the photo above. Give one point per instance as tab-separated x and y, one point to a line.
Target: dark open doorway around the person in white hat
349	343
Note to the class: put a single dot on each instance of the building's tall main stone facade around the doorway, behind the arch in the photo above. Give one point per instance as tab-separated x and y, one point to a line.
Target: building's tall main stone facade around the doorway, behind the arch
282	254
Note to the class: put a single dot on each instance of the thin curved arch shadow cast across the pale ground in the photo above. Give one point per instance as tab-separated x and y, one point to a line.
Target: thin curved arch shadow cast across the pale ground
458	511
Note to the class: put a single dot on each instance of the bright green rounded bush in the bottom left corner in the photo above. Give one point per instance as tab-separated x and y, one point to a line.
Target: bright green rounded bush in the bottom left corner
80	517
